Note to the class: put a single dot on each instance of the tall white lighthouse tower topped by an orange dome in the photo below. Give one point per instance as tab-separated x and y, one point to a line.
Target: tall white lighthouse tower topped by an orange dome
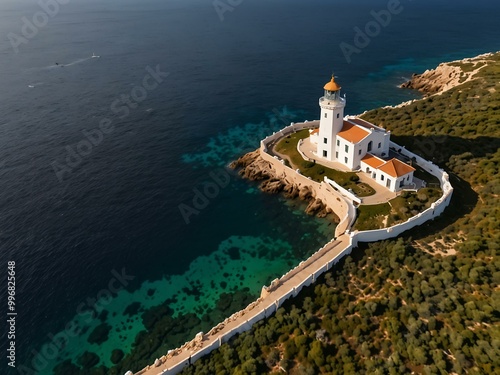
331	120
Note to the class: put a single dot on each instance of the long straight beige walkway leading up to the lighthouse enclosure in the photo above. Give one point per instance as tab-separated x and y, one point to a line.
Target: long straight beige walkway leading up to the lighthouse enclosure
290	281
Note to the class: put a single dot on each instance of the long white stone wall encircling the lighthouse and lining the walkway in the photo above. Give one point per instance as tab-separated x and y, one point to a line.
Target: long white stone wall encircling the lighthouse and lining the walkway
261	309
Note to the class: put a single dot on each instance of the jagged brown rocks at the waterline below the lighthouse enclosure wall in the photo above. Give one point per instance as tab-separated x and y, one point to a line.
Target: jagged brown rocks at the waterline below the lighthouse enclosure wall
253	167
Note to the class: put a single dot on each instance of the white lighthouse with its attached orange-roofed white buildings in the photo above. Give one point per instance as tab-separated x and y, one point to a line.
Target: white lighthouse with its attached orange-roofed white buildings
356	143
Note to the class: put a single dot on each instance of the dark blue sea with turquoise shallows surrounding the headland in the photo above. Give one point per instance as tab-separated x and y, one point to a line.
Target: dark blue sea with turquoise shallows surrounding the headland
118	119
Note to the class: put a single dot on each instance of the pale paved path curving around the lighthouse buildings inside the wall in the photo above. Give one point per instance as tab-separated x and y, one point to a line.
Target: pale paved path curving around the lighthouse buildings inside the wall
382	194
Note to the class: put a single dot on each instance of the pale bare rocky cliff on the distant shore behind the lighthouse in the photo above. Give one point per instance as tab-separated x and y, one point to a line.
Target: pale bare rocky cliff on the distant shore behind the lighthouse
447	75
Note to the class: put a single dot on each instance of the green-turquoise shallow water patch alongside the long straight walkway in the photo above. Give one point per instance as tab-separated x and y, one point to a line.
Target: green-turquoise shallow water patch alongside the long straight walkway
239	261
